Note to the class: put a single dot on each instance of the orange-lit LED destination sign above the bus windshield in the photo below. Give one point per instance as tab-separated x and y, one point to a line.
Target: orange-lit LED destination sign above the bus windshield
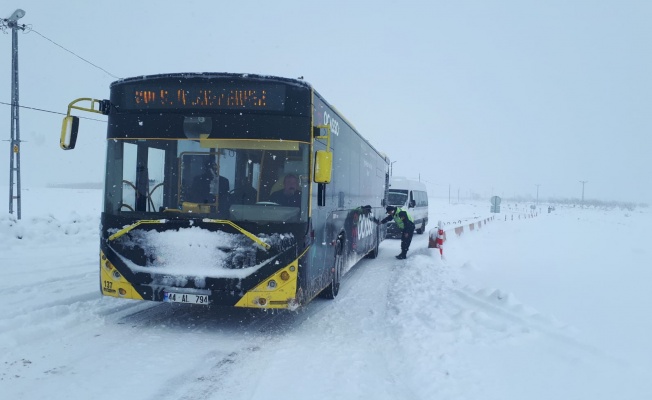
202	95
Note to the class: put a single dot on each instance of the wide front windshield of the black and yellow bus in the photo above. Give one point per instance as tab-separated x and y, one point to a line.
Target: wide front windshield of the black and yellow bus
240	180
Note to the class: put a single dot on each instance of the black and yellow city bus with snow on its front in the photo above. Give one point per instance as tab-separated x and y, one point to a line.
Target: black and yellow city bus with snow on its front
198	170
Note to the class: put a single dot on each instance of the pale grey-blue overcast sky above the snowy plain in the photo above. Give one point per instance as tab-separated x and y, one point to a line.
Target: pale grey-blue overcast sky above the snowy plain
489	97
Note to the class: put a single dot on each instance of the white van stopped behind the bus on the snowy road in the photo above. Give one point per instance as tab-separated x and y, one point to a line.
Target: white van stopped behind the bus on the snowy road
411	196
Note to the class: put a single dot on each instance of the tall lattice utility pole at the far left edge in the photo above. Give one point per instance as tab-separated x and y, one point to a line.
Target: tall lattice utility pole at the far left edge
14	146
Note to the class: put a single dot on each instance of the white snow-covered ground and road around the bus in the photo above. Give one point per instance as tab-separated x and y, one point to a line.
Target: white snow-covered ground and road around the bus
550	307
